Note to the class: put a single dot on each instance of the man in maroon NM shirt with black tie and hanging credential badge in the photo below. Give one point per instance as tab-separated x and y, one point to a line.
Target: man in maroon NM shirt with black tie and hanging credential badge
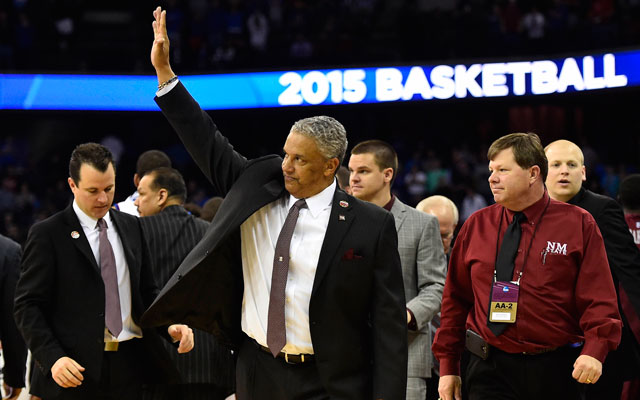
547	328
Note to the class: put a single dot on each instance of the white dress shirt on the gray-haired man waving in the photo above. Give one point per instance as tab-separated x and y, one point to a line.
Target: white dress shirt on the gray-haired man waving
259	235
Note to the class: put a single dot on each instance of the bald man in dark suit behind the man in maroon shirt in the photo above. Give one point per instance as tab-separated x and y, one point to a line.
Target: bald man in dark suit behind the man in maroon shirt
564	182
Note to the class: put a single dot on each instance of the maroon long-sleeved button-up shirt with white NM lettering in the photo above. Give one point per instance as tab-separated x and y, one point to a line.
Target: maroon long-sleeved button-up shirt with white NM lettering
566	290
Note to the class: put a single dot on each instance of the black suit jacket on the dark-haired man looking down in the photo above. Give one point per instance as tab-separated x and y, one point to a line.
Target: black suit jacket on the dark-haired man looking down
59	306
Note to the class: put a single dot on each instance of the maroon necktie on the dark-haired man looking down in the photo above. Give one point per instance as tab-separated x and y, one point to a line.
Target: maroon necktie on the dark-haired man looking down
113	317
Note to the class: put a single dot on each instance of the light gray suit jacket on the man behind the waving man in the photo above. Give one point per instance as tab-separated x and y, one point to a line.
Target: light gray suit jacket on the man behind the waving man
424	272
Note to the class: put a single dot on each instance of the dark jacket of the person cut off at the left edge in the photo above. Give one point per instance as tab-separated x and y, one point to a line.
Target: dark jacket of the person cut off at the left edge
14	350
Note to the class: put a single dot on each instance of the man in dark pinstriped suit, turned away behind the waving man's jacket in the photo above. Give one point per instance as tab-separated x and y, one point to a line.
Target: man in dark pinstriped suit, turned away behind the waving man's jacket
171	233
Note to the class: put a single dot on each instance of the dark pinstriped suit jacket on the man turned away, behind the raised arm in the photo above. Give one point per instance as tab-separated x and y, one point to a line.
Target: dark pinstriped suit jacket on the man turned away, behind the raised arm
171	235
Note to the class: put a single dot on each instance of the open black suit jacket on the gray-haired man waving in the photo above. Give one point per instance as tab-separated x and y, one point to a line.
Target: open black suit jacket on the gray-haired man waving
356	313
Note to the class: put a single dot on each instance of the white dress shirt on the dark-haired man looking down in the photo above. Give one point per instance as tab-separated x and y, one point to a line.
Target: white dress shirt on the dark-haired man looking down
90	228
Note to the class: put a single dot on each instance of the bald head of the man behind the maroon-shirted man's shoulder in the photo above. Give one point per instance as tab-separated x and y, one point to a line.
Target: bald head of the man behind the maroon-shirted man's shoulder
566	169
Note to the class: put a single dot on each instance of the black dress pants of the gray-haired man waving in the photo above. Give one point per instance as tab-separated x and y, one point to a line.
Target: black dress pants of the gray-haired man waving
260	376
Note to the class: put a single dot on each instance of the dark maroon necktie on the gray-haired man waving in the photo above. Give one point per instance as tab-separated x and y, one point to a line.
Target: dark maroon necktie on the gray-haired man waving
276	331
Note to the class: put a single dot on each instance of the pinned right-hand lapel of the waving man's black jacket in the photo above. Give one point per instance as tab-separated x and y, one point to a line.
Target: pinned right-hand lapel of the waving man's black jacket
340	220
